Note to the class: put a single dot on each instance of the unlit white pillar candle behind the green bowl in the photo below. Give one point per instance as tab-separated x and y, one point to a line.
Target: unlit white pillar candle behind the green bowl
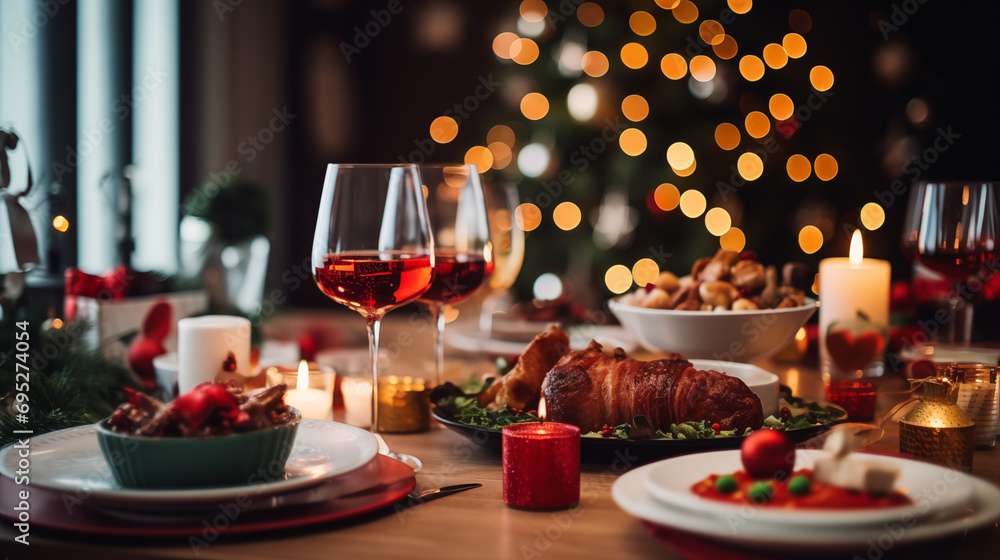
204	343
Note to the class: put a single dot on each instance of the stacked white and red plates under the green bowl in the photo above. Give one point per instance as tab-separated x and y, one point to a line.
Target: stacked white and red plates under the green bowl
334	471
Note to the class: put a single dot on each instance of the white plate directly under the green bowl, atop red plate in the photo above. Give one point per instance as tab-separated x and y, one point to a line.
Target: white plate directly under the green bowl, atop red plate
71	461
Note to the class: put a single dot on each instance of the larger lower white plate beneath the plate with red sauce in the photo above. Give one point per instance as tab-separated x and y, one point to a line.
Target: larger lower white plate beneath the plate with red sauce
983	508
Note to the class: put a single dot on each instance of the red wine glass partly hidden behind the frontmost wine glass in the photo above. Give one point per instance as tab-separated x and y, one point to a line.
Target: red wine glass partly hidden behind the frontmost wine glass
463	253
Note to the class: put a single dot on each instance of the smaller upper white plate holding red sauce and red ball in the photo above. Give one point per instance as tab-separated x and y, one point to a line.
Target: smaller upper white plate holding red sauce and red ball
670	481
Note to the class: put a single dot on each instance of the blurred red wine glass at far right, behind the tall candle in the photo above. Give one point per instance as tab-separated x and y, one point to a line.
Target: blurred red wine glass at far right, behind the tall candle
952	228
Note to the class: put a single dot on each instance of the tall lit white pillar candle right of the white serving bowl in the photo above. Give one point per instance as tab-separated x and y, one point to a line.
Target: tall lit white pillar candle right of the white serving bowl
847	287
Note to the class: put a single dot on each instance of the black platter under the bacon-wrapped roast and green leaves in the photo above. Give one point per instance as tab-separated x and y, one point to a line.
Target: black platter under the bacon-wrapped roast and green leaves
614	451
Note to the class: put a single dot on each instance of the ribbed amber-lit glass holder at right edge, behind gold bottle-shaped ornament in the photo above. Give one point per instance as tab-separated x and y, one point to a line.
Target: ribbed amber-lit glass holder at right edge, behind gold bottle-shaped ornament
979	398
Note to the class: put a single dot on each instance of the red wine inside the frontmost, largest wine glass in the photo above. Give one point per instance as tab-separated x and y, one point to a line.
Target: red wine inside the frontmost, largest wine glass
374	280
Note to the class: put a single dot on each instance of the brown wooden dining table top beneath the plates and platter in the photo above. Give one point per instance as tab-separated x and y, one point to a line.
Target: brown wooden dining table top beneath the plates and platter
477	525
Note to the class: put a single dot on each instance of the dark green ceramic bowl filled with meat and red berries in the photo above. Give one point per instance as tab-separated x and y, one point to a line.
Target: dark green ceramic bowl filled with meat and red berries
179	462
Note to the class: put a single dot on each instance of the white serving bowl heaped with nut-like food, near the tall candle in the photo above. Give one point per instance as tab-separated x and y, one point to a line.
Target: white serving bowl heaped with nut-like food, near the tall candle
735	336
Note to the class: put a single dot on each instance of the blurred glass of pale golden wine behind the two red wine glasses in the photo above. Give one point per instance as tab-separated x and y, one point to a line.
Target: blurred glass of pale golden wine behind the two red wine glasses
508	249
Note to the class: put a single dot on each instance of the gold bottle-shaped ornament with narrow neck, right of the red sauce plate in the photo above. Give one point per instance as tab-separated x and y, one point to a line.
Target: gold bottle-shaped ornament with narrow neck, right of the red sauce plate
937	430
